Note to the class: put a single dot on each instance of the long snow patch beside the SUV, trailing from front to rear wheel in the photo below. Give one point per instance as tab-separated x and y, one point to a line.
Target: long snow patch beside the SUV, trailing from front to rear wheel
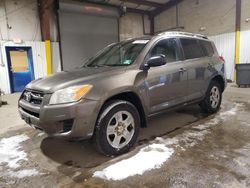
154	155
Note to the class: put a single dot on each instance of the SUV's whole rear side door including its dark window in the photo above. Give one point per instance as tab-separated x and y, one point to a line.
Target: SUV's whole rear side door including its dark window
198	66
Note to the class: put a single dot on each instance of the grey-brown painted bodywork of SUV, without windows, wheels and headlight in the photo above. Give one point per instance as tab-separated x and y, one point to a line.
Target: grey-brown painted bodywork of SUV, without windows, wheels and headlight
159	88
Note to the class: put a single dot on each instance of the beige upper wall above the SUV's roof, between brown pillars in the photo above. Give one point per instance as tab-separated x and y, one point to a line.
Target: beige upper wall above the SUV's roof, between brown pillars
217	16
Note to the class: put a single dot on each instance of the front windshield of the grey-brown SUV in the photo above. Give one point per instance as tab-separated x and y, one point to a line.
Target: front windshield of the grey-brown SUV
119	54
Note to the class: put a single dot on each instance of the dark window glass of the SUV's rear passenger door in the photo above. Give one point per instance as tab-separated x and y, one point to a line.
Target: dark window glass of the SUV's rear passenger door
191	48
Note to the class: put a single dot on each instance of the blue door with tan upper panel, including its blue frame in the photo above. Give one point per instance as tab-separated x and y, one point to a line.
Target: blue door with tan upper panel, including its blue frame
20	66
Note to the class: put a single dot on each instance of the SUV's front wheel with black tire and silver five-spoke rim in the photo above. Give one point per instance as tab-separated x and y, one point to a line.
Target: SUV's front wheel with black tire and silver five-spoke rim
117	128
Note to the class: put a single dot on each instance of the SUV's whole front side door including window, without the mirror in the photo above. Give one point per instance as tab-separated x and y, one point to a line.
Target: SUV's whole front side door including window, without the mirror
166	85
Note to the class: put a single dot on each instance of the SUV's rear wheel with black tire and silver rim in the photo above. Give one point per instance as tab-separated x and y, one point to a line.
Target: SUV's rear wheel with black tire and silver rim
211	103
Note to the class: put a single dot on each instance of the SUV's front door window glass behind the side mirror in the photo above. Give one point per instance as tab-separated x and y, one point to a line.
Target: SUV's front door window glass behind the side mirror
169	48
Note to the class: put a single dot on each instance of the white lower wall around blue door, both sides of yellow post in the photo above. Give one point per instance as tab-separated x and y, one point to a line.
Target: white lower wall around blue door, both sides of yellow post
39	60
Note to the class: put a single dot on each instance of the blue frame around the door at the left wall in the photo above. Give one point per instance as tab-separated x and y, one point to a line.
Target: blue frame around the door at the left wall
28	49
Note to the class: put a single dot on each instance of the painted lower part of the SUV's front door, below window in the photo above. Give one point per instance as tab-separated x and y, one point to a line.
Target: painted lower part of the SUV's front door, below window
166	86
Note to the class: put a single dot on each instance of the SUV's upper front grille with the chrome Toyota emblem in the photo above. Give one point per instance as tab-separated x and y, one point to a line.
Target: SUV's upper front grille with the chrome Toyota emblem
33	97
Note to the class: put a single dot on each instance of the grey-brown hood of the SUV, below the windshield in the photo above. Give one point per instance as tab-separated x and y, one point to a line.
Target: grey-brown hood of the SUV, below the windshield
65	79
